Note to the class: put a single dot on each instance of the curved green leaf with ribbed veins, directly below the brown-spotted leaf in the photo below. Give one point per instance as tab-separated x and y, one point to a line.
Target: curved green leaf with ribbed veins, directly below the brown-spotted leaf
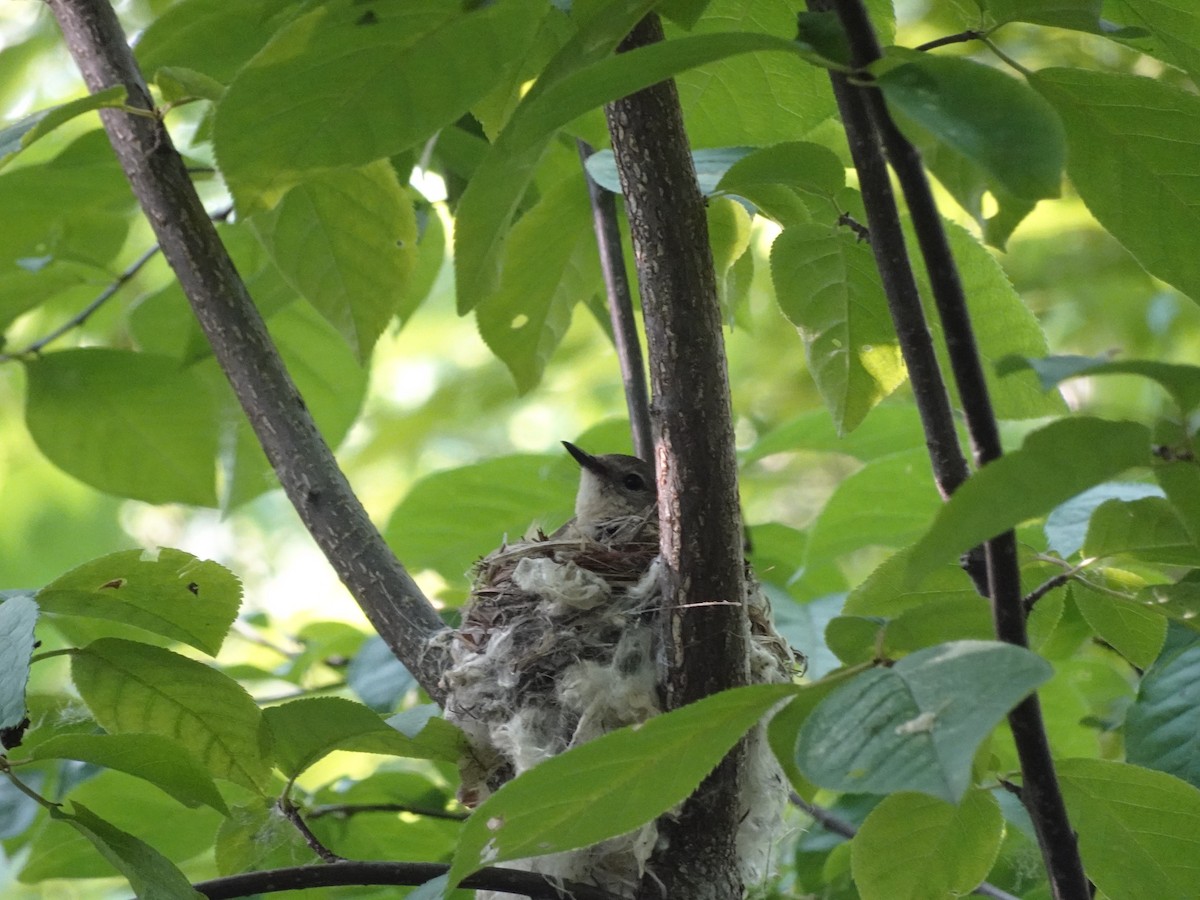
136	688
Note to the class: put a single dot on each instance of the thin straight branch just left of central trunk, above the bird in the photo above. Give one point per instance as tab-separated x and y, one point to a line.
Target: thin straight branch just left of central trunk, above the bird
621	311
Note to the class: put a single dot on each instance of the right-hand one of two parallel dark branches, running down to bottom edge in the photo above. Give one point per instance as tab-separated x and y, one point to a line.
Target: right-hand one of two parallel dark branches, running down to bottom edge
1041	793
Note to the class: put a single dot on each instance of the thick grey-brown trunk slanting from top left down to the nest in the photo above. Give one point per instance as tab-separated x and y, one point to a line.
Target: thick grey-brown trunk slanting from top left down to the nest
303	461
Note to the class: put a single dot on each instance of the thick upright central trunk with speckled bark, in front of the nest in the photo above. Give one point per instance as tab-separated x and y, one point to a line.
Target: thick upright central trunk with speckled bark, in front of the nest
699	512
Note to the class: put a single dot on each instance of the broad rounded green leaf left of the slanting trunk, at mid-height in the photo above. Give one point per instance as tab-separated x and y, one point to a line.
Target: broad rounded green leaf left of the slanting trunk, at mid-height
145	428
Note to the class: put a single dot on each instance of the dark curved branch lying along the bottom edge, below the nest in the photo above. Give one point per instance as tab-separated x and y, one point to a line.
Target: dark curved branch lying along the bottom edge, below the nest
301	878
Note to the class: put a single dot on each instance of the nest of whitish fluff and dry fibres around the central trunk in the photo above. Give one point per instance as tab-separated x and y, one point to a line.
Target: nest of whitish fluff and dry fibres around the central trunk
560	646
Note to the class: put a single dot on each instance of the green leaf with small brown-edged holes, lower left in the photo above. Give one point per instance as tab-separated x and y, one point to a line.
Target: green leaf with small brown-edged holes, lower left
169	593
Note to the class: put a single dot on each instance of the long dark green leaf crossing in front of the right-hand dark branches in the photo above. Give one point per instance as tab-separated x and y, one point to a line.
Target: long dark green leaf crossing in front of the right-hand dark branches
1053	465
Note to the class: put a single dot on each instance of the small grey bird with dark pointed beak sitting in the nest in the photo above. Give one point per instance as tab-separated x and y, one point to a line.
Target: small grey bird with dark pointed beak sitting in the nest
613	488
